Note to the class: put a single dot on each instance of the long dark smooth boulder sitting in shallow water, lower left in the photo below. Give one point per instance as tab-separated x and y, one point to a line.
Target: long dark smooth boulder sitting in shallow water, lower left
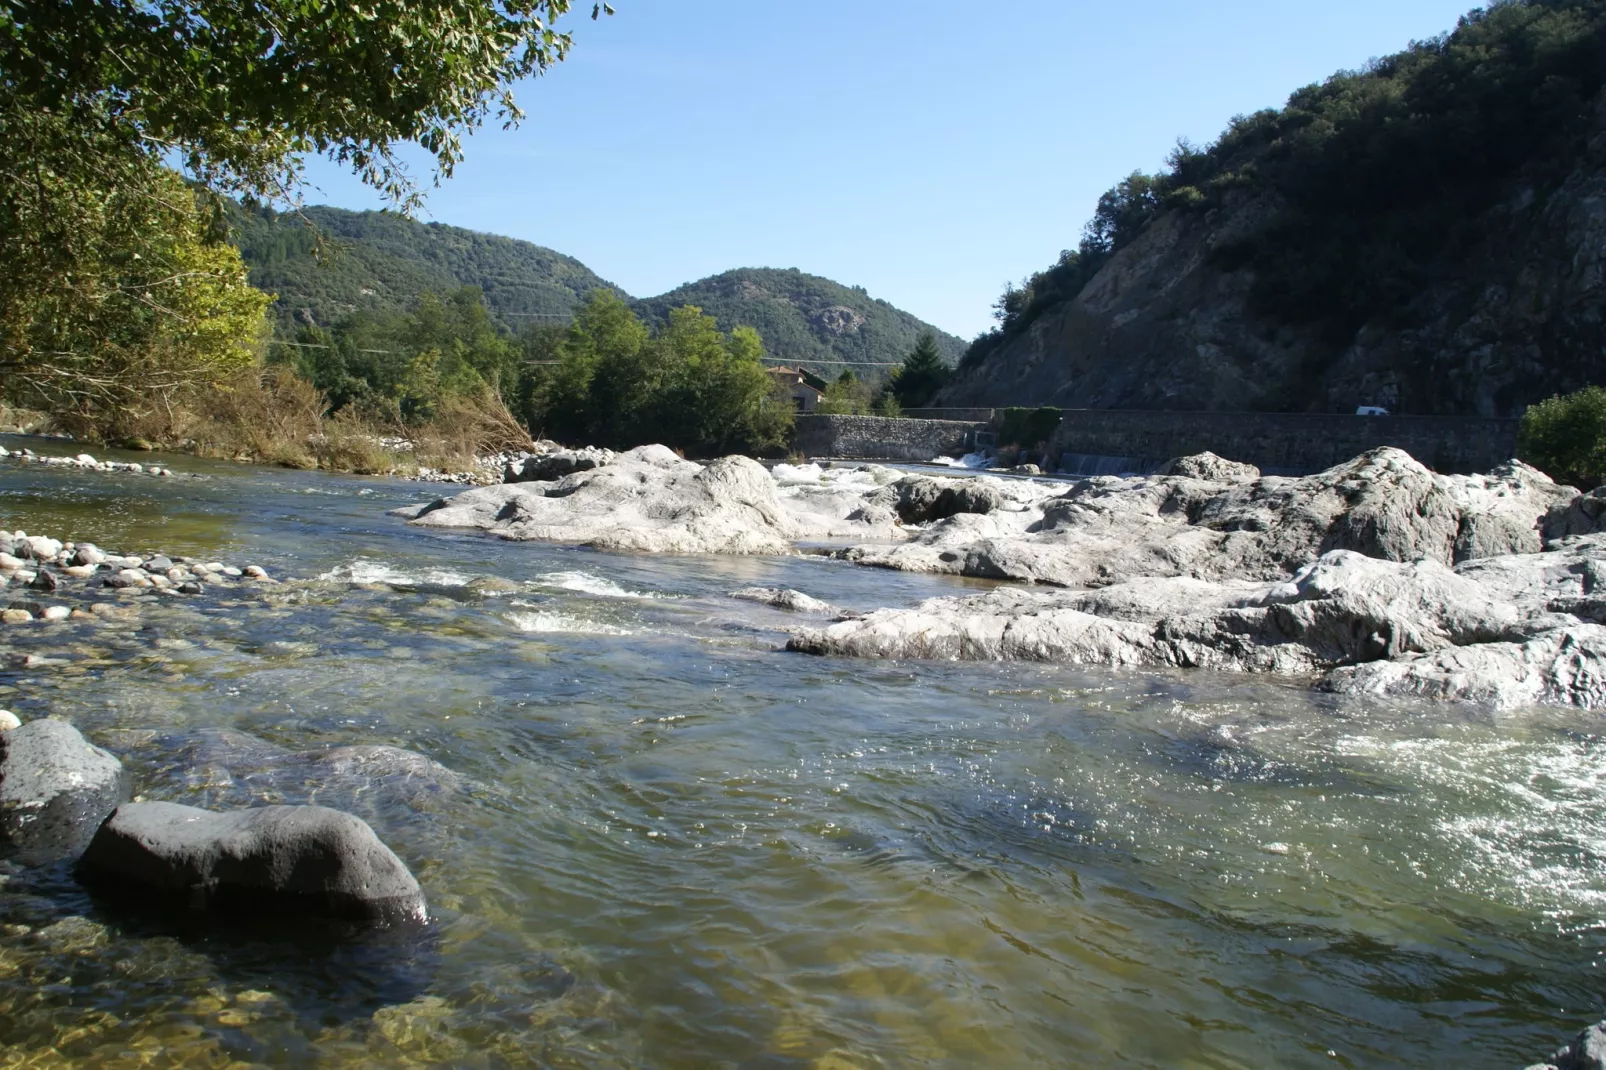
277	860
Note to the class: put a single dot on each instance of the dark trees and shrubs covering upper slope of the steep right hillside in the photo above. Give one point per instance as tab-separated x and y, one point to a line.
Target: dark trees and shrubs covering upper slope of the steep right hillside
1368	179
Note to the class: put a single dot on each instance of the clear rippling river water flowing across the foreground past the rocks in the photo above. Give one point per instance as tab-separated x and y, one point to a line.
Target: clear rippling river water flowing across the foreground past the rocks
675	846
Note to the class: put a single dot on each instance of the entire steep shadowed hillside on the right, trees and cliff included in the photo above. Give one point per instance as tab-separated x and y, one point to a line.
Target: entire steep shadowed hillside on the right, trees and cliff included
1427	234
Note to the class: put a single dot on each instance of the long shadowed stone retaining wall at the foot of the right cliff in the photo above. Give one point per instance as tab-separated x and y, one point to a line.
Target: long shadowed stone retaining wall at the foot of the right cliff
1290	443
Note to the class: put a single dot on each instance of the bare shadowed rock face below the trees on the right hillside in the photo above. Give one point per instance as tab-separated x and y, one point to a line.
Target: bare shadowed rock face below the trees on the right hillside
1168	322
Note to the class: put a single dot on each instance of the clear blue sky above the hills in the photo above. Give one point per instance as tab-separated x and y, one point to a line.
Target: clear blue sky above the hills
926	150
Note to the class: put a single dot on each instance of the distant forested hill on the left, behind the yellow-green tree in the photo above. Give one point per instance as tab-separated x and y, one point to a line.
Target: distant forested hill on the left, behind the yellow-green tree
381	263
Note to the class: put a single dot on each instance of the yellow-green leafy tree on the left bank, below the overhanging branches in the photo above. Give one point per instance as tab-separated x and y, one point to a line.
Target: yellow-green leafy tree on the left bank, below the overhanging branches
116	293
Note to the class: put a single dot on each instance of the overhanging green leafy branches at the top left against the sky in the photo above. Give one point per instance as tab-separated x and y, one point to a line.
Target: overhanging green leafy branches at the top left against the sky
243	89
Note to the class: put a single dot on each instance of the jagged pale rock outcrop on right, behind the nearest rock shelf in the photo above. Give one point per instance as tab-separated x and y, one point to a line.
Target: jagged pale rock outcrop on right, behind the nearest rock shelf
1233	525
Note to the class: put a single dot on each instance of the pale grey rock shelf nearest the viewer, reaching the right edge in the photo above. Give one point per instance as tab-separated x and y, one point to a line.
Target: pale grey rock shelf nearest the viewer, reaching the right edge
1514	631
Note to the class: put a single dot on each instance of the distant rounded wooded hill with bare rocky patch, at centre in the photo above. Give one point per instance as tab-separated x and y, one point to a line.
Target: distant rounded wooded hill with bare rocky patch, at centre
805	317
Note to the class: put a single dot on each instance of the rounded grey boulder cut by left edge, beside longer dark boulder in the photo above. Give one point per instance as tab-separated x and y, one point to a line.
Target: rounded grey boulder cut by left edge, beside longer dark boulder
55	788
